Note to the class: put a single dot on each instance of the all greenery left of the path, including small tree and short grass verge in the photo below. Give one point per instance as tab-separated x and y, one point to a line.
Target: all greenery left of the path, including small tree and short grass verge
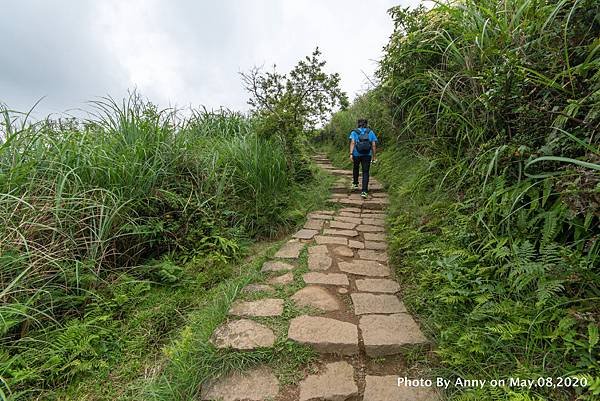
124	236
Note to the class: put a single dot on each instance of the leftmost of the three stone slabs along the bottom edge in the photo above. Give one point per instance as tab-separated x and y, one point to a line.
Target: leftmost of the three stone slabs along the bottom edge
256	385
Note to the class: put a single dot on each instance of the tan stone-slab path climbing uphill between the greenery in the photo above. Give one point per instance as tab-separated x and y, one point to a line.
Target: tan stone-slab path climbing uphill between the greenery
358	314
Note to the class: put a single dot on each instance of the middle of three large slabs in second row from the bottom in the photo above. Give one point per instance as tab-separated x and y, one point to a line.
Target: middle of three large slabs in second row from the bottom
325	335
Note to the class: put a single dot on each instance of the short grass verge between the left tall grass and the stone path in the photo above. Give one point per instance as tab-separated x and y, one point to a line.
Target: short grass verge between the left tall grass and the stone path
165	354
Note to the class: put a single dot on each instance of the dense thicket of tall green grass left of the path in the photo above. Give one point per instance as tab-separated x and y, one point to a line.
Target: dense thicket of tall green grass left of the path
84	201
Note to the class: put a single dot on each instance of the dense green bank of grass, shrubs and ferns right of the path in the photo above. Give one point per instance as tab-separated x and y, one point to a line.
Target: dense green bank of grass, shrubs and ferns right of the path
488	114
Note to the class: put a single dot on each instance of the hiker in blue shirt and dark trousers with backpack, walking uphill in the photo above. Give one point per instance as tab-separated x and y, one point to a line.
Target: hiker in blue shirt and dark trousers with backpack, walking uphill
362	151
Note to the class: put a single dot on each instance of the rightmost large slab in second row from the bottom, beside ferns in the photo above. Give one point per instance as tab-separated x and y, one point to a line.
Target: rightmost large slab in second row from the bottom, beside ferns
389	335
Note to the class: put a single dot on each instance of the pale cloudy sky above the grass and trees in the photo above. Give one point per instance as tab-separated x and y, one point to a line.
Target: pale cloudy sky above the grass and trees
177	52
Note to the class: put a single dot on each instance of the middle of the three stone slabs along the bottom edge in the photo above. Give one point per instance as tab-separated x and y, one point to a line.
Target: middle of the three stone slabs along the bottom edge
336	383
